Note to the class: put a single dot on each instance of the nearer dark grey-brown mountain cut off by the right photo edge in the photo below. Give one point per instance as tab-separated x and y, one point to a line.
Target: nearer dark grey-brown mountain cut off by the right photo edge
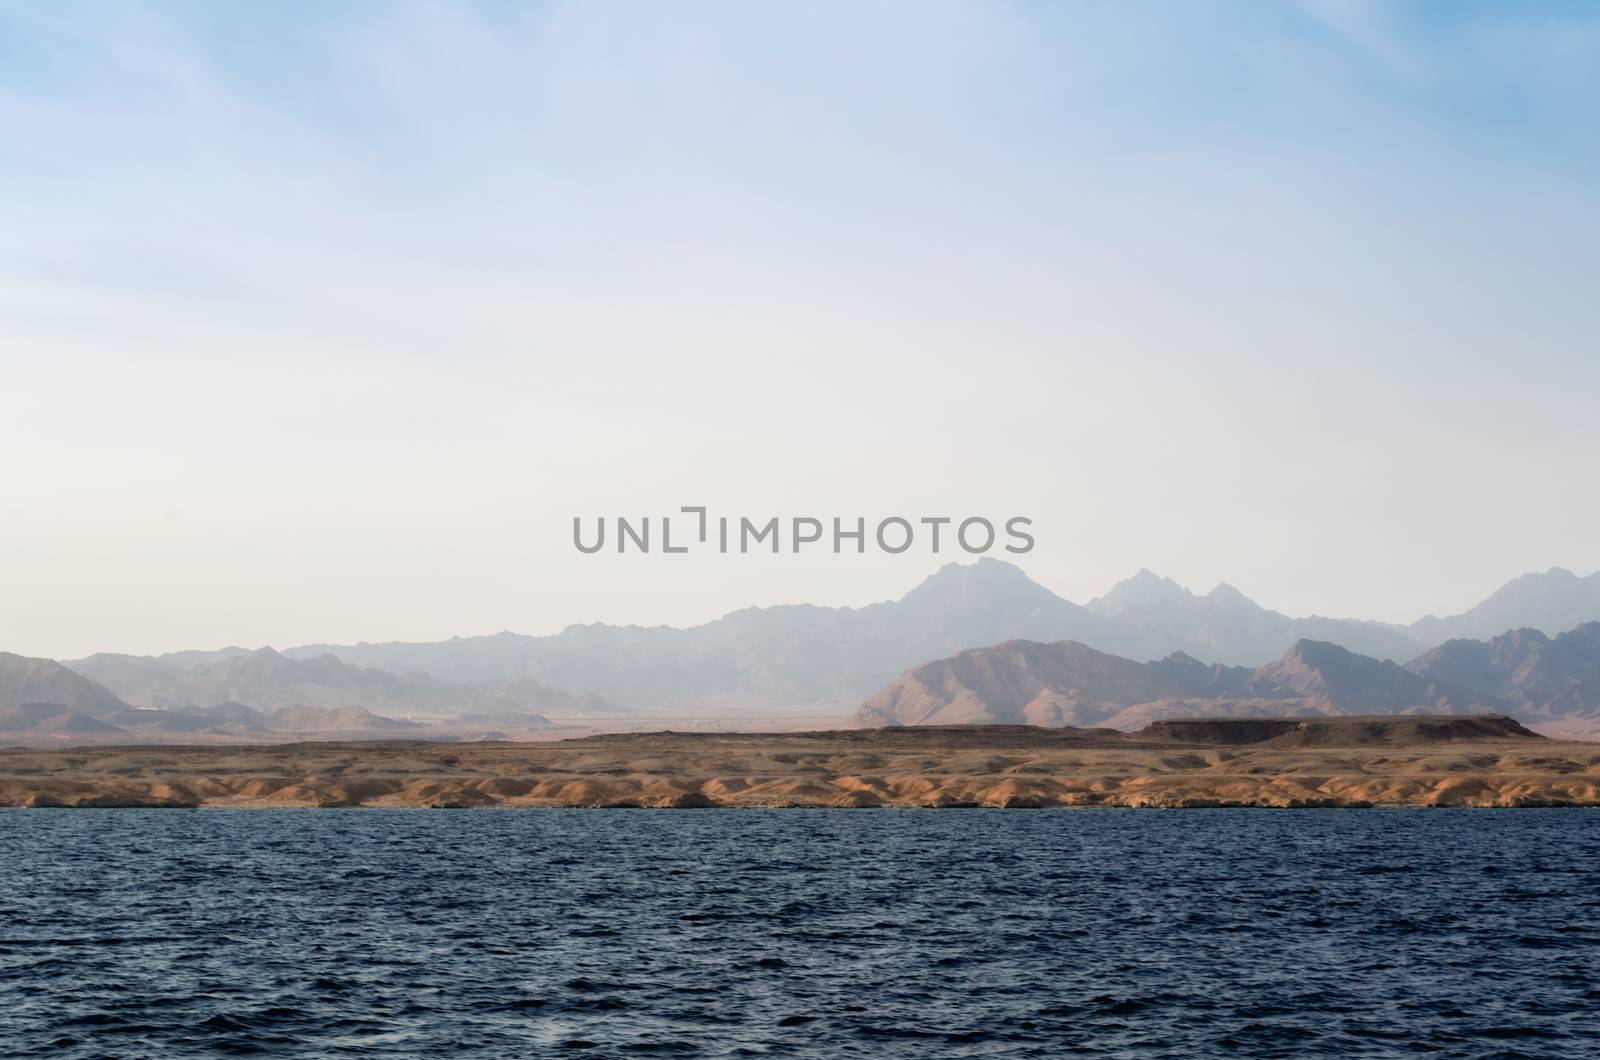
1550	680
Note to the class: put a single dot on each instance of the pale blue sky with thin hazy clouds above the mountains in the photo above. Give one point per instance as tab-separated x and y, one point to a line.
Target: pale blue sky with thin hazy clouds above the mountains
321	323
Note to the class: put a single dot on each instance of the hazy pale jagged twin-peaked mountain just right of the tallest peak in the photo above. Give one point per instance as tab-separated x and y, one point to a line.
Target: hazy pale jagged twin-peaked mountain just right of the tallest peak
1226	627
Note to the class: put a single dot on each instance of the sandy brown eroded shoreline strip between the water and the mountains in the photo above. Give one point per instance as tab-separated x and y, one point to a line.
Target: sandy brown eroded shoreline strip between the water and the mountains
1482	761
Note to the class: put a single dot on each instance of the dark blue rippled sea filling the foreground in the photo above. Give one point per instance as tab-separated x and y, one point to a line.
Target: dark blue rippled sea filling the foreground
801	933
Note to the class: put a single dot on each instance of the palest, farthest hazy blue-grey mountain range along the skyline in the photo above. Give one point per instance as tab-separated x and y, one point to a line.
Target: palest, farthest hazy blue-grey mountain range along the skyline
790	656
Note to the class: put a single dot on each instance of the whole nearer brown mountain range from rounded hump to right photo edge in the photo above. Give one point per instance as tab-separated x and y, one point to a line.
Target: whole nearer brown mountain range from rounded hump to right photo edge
1548	683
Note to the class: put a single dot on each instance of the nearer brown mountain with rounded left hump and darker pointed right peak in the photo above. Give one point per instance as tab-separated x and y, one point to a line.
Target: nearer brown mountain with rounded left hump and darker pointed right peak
1071	685
